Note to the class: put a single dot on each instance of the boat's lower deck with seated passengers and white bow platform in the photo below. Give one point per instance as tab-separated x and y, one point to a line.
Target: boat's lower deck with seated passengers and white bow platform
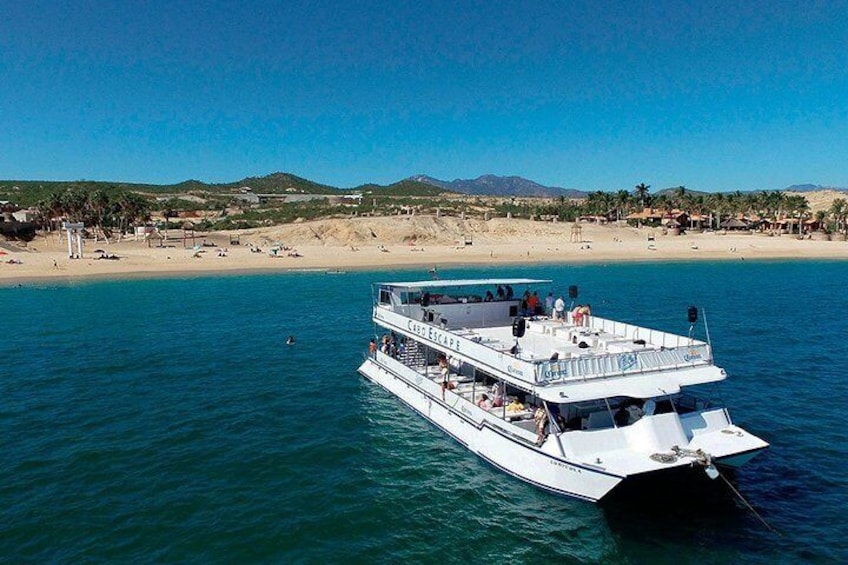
620	435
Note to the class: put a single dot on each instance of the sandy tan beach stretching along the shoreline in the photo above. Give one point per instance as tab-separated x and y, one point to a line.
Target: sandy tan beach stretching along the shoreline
383	242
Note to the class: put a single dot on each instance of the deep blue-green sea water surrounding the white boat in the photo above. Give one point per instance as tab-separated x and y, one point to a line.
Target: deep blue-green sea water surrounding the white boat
164	421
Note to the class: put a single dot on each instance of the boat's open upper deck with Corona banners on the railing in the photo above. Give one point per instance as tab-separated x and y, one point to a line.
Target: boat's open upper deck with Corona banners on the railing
467	323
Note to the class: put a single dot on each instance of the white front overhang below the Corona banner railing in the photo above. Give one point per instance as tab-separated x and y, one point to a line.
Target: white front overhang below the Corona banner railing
635	386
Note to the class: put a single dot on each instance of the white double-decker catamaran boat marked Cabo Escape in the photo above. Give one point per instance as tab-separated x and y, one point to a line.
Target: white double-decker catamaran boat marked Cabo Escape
565	400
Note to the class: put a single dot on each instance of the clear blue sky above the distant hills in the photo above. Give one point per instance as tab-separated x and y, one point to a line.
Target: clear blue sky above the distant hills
594	95
